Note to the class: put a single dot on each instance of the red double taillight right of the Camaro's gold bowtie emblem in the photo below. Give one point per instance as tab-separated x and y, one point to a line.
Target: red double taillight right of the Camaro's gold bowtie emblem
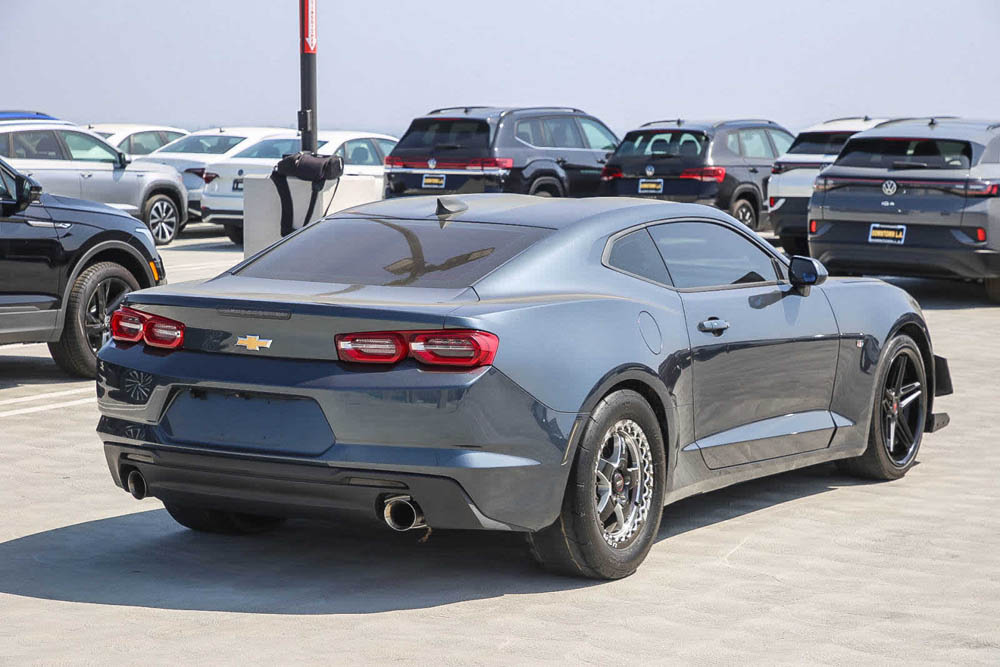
448	347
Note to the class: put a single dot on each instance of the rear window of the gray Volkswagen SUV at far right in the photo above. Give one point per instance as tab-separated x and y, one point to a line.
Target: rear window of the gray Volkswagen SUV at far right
906	153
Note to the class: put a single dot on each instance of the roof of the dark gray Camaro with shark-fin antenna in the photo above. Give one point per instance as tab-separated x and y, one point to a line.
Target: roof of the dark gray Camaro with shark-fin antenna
612	213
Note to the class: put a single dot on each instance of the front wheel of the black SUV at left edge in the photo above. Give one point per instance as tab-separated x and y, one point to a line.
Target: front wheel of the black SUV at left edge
95	295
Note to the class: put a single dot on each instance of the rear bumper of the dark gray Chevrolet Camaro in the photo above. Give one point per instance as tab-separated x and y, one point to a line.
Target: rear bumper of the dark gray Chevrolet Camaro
472	448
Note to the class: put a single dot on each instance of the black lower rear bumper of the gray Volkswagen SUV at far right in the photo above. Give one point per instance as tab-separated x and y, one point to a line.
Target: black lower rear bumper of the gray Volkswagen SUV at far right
928	251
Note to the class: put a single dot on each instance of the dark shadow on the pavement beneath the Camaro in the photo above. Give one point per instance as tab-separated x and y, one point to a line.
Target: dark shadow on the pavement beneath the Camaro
309	567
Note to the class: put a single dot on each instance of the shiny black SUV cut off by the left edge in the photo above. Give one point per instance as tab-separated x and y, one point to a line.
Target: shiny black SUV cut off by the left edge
65	265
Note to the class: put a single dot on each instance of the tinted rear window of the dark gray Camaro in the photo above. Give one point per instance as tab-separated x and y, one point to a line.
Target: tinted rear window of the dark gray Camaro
415	253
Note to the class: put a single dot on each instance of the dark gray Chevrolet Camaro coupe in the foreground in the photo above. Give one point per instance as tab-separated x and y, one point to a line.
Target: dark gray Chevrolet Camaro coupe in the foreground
562	368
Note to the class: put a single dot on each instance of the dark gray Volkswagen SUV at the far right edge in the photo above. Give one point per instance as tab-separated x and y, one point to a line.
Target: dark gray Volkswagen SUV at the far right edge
918	197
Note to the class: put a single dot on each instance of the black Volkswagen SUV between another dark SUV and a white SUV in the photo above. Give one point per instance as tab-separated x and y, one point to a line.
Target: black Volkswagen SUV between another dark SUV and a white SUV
725	164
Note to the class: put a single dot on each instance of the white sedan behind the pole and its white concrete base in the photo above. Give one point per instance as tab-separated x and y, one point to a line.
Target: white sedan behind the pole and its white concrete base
363	179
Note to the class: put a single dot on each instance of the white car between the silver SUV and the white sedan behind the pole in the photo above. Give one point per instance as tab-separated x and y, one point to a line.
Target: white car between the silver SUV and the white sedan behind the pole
189	155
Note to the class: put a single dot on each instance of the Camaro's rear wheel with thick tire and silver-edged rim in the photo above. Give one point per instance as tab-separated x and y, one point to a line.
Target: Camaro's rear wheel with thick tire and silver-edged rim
614	498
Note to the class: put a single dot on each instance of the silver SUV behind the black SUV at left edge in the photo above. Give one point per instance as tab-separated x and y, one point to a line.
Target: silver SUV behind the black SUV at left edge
69	161
